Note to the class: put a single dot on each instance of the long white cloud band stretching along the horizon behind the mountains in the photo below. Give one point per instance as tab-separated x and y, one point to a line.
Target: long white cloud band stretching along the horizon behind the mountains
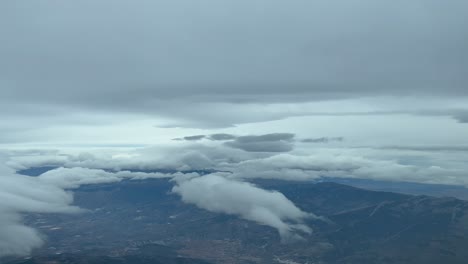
424	164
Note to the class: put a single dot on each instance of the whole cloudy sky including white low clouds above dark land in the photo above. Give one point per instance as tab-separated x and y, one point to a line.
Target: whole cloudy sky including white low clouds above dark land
293	90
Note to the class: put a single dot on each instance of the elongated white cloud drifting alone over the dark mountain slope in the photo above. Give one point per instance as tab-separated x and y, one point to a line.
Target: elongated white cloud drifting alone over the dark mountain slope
219	194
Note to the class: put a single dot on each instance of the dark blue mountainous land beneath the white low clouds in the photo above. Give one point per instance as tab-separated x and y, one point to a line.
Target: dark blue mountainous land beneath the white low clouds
143	222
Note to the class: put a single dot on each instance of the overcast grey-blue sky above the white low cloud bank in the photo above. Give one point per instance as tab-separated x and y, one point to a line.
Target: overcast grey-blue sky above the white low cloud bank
143	72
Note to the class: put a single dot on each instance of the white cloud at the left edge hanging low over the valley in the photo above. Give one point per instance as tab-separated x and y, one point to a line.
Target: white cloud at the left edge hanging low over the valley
21	194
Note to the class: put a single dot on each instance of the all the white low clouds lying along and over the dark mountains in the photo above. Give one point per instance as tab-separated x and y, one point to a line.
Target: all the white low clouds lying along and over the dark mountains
219	192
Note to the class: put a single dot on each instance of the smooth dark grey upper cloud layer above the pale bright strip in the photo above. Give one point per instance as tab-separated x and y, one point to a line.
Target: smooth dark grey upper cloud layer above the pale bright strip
172	58
